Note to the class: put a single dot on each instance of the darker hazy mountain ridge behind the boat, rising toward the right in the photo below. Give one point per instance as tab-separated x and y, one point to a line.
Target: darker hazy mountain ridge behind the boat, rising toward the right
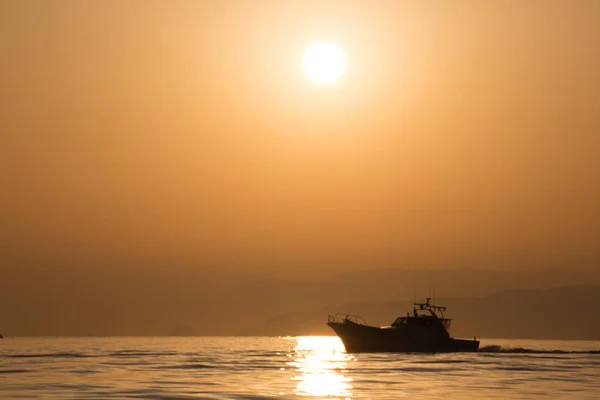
560	313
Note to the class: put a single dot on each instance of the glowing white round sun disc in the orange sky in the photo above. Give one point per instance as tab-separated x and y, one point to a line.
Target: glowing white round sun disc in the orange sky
324	62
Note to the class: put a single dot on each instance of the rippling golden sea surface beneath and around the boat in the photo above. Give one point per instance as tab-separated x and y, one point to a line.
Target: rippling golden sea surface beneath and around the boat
303	367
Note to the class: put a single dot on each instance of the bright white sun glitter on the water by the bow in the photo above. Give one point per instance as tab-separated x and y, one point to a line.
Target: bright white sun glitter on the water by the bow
321	362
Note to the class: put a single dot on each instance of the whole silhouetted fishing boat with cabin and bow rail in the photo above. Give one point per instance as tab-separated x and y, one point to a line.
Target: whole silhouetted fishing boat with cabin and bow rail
425	331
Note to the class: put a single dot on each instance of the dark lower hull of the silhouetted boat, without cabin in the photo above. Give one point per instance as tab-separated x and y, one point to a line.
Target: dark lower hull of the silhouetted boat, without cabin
358	338
